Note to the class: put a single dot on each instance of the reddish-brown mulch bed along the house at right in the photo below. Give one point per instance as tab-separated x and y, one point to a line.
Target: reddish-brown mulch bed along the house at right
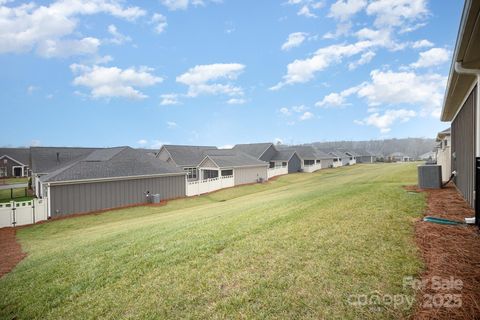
450	253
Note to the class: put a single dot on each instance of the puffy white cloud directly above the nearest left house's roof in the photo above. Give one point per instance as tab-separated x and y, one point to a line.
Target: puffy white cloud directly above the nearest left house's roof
110	82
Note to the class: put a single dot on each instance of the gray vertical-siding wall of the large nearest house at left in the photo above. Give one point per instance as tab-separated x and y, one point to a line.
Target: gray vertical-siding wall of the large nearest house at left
88	197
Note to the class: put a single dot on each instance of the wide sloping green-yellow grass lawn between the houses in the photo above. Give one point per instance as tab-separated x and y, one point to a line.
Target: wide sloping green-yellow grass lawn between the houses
296	247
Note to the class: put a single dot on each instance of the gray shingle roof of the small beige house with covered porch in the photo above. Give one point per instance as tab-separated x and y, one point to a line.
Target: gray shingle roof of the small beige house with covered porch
228	158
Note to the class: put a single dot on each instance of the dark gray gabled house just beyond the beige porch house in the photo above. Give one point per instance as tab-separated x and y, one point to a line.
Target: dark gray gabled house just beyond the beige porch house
277	158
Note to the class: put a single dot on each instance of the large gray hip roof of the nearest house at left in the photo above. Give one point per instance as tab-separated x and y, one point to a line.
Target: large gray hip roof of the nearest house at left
111	163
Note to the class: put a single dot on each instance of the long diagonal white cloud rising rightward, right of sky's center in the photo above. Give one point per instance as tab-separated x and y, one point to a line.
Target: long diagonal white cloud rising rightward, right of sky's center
301	71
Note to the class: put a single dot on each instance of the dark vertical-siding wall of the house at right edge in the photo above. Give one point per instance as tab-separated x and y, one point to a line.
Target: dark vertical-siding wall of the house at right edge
463	148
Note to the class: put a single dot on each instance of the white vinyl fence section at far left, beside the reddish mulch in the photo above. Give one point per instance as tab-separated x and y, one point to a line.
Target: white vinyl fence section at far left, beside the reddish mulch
20	213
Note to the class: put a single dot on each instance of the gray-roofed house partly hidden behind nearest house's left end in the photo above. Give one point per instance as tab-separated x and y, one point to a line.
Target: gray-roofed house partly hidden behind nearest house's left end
44	160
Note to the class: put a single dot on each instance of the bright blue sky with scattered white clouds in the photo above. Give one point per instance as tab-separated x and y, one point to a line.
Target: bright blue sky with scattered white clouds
143	73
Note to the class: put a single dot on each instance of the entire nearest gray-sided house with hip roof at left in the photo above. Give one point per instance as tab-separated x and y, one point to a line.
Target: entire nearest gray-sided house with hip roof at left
110	178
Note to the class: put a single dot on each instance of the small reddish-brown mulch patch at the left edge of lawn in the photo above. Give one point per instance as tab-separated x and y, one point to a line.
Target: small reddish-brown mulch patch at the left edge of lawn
10	250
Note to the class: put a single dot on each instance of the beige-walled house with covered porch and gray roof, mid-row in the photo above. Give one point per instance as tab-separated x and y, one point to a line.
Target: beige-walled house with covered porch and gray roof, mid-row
228	162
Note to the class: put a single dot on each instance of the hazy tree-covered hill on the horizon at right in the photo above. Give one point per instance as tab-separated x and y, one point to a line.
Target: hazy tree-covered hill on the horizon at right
413	147
